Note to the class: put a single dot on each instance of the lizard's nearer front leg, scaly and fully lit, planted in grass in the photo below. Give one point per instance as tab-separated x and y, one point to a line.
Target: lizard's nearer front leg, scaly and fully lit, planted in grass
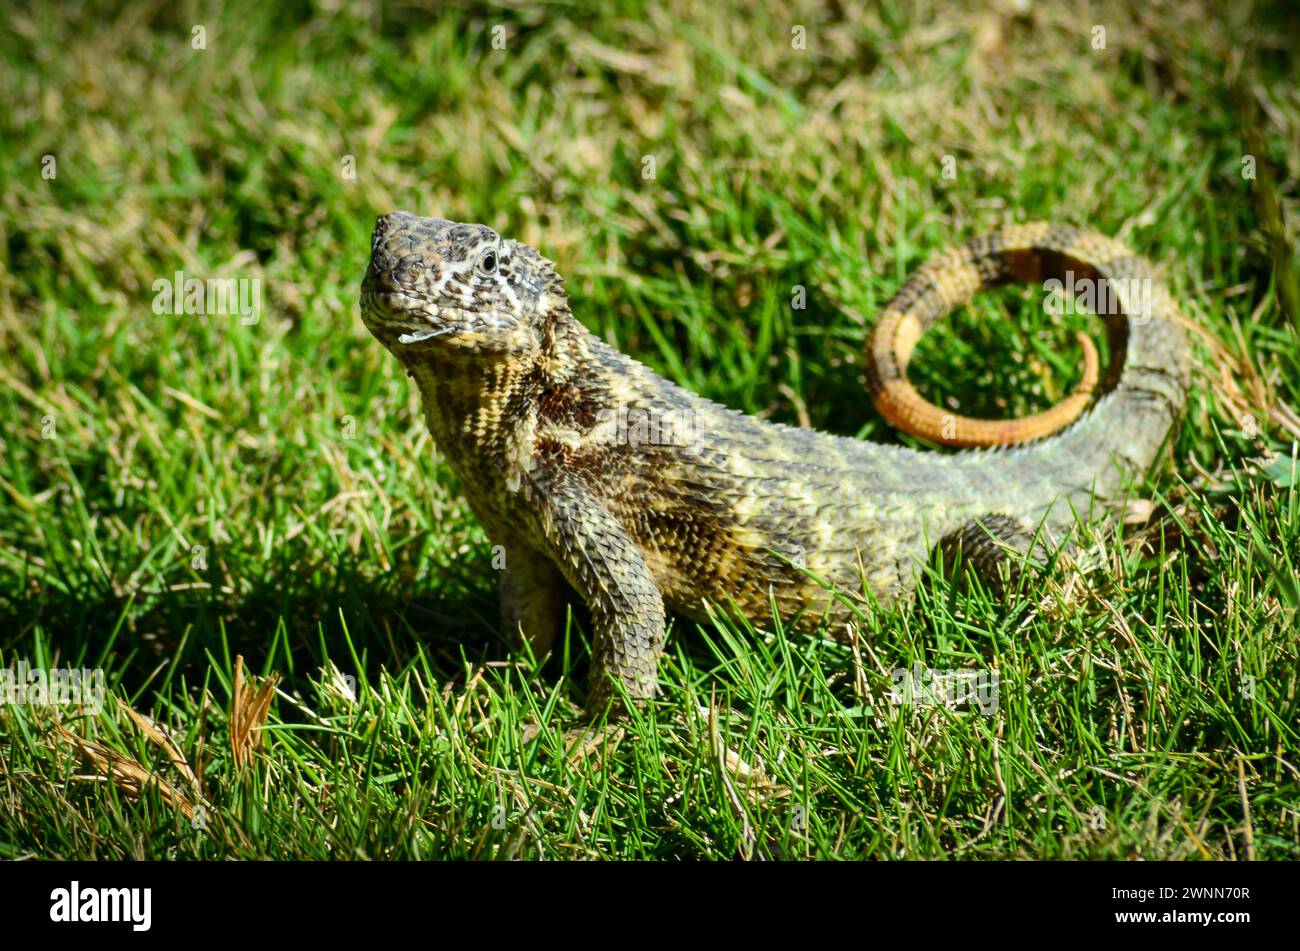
603	563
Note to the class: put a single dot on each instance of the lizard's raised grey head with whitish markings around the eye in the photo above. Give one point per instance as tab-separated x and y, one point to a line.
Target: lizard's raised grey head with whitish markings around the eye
436	284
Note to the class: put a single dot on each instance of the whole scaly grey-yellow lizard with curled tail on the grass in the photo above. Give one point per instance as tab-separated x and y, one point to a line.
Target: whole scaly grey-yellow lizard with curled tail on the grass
643	497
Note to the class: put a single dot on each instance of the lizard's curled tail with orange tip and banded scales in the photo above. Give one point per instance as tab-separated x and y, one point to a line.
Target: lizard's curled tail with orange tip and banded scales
1146	383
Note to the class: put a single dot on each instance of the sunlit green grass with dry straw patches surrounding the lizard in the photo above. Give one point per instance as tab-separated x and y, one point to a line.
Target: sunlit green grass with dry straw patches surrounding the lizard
214	489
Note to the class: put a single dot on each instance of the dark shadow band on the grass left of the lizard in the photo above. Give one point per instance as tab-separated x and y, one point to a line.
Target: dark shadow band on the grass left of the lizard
293	623
